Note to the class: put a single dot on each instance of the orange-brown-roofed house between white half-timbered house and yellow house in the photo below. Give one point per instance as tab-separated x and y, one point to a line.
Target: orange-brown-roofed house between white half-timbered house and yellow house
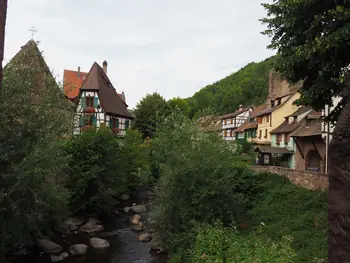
247	131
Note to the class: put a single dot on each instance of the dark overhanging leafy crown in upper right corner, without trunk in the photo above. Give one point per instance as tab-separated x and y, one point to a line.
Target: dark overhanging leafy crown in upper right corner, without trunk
311	38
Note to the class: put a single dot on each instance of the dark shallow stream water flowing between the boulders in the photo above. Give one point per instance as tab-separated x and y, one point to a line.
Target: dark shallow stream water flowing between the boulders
124	245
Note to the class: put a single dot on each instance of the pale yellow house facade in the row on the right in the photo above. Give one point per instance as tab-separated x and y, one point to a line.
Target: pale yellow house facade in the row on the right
271	118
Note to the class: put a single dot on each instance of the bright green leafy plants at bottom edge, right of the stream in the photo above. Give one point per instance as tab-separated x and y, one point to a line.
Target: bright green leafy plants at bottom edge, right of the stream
214	243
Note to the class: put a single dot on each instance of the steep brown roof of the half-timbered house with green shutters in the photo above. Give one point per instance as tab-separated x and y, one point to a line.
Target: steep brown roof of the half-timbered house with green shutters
98	81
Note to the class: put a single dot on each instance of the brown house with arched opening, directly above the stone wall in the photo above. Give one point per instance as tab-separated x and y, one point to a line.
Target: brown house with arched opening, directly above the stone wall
310	146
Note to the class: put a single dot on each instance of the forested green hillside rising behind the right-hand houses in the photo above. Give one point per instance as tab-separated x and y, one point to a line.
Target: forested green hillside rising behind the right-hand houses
247	86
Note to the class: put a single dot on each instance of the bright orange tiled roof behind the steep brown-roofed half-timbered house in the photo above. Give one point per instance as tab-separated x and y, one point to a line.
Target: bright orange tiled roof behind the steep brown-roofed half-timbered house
72	82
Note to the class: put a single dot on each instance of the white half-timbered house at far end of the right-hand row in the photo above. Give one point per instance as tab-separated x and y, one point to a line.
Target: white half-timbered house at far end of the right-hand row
230	122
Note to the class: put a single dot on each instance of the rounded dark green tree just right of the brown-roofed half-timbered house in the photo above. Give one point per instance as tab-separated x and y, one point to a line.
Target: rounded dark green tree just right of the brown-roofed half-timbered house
148	112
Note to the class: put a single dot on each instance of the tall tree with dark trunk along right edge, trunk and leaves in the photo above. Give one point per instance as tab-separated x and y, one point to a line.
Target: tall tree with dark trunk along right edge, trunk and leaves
312	39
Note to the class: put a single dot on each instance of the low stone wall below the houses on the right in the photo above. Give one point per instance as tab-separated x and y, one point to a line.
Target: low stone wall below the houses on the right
305	179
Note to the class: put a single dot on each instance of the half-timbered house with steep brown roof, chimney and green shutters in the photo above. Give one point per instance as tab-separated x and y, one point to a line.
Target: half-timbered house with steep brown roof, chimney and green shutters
98	104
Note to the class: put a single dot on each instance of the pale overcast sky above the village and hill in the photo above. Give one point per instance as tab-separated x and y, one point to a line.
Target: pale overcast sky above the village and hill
171	47
